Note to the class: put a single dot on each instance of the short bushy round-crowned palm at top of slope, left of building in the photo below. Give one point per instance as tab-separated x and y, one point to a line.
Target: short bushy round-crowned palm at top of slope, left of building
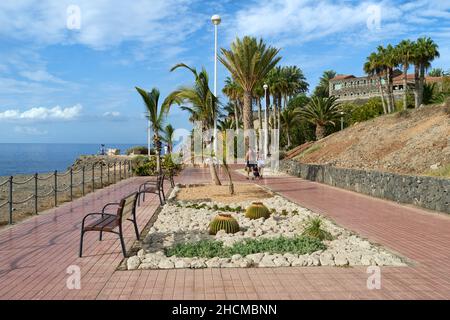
320	112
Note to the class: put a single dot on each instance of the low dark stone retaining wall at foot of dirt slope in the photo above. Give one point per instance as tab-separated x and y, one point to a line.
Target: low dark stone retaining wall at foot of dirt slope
427	192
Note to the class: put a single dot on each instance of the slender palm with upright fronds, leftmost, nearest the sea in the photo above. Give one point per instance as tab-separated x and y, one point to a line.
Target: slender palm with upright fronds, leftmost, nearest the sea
156	117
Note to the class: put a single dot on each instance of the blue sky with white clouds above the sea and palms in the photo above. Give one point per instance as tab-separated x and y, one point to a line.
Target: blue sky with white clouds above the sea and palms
77	85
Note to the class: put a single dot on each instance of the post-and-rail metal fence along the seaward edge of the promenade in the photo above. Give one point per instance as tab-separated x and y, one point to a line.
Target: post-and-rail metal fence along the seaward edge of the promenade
115	171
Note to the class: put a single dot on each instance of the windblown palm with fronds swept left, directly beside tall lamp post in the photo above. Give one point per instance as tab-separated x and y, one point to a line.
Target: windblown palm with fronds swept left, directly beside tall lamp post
203	107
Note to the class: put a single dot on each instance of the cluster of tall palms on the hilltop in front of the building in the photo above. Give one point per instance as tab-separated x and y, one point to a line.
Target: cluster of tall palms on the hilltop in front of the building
385	60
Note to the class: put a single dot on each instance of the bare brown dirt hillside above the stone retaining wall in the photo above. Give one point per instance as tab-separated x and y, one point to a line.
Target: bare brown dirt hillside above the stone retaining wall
416	142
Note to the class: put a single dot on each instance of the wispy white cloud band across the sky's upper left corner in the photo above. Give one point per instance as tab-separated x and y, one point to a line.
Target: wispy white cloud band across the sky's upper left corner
103	23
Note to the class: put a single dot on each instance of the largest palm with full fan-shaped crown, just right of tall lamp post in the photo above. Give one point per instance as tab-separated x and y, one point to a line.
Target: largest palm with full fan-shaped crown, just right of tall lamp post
249	61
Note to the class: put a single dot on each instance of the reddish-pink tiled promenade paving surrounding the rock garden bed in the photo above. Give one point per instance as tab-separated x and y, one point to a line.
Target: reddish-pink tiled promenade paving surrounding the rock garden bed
35	255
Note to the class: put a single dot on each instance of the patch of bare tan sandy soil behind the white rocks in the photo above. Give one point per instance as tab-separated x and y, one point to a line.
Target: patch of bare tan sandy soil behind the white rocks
243	192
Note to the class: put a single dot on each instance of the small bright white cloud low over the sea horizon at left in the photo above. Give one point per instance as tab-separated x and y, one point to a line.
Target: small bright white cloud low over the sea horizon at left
41	114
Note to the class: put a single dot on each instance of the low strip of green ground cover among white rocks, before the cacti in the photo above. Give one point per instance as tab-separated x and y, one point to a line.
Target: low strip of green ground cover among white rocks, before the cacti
212	248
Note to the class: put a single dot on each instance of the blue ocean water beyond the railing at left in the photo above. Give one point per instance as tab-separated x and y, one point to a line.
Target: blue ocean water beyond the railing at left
30	158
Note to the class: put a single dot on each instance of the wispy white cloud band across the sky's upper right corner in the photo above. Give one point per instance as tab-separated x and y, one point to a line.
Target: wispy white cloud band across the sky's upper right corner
298	21
